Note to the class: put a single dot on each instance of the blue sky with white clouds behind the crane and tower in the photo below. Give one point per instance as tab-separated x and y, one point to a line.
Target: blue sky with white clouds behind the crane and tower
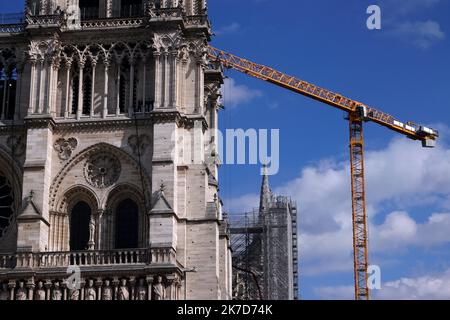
402	69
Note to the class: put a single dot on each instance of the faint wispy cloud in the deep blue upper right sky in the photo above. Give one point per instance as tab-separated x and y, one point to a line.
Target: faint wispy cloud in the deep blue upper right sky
423	34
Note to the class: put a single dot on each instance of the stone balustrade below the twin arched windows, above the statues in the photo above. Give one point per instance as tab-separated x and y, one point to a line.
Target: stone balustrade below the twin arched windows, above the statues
162	256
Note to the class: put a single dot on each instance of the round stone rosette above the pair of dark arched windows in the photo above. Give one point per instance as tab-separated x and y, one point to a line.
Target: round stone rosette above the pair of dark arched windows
102	170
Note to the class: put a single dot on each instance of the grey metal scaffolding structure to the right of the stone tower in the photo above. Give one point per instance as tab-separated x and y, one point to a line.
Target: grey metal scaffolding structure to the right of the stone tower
264	244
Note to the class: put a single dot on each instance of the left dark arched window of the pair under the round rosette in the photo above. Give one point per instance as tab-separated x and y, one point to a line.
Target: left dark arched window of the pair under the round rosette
79	226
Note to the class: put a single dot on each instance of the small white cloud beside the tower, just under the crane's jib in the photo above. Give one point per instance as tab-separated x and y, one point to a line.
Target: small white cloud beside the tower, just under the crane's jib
235	94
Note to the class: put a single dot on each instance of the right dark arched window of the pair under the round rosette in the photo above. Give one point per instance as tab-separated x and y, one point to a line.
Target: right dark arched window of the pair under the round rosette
127	225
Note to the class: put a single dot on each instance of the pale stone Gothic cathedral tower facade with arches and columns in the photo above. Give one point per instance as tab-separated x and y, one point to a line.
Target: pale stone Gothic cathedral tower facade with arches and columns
107	153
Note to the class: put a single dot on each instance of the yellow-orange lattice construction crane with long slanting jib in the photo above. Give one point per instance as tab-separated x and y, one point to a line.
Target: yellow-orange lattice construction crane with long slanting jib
357	114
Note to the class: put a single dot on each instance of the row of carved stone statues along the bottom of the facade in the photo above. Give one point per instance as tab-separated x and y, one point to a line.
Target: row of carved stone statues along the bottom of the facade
150	286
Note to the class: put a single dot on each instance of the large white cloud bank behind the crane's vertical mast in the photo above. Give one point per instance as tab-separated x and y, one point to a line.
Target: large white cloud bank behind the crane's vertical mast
401	177
